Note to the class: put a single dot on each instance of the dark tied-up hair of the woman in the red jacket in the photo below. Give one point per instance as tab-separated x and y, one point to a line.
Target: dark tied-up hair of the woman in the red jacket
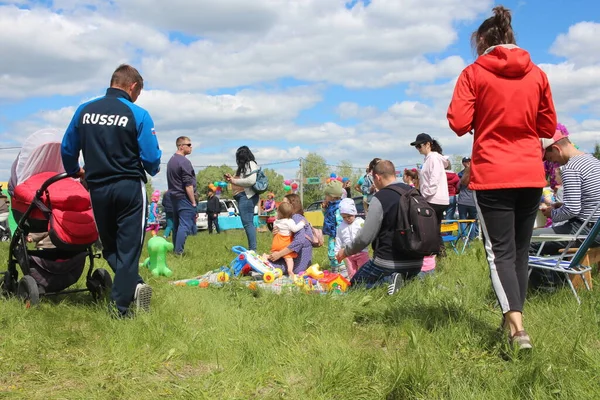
494	31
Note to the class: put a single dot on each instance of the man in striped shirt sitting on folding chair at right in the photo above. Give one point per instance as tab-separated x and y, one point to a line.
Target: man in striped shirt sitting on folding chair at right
580	174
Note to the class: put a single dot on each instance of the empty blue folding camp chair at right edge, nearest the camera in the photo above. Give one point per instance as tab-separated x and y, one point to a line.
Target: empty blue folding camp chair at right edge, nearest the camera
567	263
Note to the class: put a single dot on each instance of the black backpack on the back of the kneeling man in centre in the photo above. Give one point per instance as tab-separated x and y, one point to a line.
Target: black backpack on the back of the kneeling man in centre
417	230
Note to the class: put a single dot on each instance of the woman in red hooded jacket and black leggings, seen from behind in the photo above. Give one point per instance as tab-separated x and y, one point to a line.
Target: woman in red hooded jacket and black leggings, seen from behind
504	100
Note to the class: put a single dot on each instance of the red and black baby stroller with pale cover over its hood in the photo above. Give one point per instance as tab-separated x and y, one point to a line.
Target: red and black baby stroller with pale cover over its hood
46	201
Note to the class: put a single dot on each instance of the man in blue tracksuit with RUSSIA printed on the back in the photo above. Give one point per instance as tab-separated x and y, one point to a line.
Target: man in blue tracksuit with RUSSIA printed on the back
119	146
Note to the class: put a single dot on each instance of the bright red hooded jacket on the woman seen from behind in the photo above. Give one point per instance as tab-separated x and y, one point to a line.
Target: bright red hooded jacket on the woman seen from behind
505	98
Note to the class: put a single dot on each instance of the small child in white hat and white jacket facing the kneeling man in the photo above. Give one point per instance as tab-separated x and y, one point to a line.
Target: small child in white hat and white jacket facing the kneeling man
346	233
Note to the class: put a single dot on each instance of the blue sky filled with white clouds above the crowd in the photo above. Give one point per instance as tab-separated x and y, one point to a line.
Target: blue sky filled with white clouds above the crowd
349	80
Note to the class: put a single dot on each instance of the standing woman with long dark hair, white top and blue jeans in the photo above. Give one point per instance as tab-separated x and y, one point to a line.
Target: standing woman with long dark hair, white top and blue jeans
247	200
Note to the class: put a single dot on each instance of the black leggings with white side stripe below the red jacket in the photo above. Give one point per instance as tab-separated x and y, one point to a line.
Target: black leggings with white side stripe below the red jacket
507	217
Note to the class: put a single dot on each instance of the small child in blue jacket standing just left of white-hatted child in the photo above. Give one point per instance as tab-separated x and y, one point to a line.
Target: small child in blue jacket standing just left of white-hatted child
332	219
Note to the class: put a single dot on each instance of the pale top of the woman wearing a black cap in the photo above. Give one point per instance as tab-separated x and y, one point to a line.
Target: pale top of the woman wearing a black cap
433	183
